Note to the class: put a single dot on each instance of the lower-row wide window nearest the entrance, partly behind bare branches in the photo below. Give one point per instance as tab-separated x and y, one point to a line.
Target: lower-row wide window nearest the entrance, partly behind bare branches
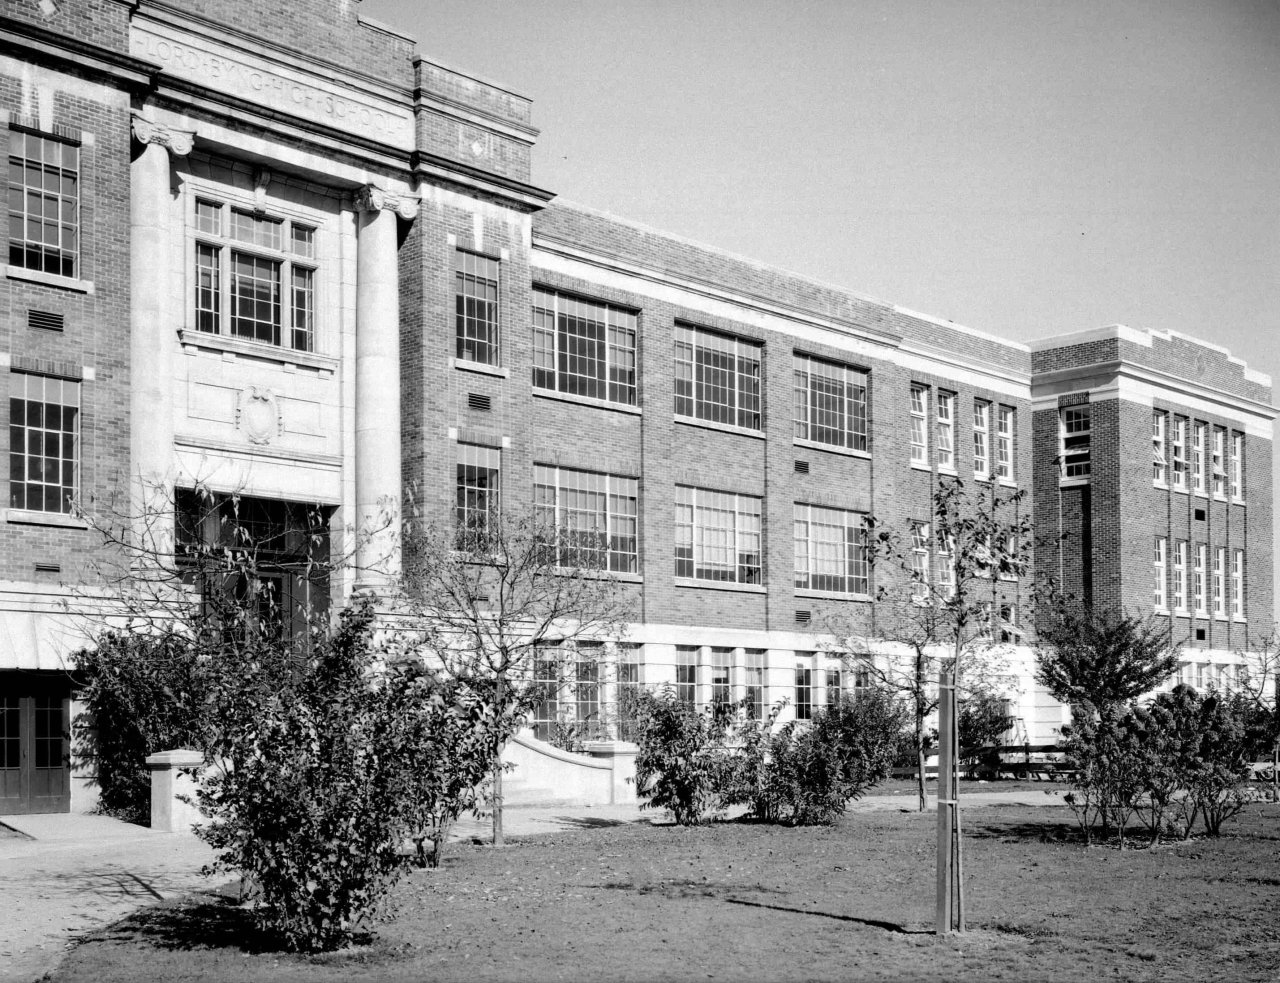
595	518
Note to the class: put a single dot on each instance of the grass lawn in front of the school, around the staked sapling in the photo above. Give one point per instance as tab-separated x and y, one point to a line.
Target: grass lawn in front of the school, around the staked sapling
743	902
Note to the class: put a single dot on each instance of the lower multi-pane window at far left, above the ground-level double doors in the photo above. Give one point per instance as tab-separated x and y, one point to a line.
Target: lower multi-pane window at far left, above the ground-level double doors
44	442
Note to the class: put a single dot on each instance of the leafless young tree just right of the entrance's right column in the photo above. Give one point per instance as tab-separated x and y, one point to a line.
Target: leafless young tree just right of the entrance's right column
504	589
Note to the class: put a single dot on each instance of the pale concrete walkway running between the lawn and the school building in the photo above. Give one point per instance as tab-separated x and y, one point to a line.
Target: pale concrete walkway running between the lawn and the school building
66	876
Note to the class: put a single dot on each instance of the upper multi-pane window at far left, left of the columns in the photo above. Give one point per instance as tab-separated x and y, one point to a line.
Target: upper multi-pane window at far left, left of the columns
44	204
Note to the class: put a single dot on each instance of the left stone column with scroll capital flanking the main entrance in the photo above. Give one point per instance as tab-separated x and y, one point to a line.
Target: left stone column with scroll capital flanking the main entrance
152	336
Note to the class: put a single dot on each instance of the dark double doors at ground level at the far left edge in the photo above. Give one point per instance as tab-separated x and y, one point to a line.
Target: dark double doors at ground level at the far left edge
35	746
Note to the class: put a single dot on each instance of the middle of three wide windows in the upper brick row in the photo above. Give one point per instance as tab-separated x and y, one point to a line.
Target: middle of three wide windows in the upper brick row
717	378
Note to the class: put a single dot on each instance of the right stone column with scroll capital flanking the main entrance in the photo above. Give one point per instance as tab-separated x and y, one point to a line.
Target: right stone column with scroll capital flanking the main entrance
378	409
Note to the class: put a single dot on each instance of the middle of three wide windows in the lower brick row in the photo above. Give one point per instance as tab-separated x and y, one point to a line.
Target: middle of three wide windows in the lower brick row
717	536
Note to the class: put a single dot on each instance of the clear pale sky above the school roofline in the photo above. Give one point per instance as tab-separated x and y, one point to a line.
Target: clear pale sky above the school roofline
1022	167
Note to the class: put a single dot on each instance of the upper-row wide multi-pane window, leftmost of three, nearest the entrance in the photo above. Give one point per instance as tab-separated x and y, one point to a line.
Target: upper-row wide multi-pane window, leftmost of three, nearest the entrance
584	348
